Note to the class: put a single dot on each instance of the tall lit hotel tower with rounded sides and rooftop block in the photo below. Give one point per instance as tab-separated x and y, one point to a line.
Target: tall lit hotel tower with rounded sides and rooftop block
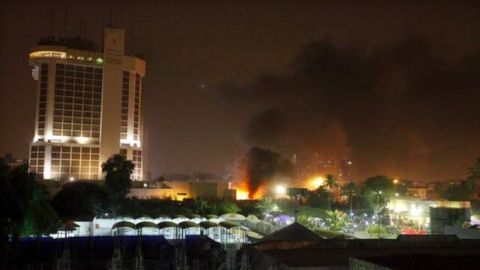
89	107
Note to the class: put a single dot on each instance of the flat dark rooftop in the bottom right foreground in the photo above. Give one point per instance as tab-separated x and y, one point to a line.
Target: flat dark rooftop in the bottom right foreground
336	253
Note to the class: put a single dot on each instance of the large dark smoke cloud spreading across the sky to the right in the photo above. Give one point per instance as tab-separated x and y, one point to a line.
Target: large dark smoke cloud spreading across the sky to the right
401	109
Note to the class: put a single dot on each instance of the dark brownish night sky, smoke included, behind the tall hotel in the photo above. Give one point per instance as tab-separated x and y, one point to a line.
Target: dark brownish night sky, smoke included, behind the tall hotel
393	86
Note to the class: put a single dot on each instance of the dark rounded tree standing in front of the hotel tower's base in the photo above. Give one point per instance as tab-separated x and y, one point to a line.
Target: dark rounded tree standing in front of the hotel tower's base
117	180
